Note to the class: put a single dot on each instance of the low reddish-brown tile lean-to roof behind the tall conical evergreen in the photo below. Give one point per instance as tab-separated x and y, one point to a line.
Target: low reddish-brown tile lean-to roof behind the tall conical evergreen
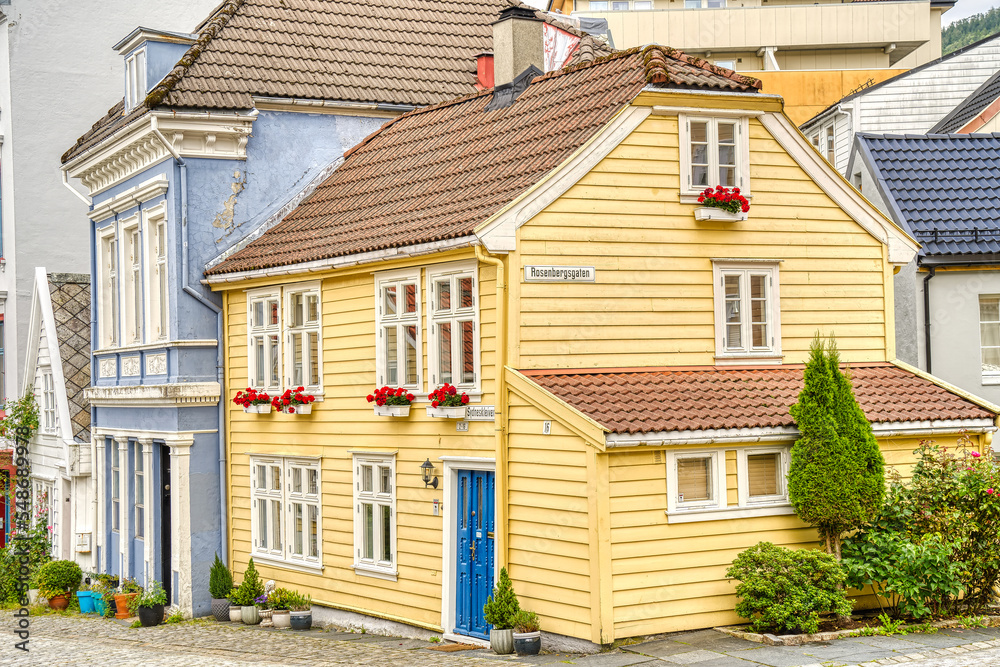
680	399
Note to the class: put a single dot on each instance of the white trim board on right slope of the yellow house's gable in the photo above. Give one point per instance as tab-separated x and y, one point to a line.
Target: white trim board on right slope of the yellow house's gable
901	247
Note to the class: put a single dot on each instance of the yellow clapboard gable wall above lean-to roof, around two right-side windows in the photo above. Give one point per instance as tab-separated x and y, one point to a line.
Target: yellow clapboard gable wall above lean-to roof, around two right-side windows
652	303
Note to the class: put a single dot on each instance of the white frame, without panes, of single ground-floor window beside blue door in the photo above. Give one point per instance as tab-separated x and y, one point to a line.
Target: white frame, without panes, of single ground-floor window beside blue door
374	566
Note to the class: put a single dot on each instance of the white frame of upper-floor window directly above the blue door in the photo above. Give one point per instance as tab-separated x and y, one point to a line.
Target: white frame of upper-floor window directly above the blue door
454	270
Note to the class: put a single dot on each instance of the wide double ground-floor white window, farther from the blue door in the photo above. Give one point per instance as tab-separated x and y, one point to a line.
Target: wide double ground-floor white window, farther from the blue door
286	509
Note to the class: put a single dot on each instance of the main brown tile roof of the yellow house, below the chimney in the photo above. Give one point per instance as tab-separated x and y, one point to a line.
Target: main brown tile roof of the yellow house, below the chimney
436	173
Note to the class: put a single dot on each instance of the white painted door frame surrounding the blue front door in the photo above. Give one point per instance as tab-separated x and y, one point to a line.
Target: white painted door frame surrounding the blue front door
449	537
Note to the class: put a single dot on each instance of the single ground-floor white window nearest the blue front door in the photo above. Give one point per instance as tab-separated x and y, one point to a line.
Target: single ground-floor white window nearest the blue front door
375	513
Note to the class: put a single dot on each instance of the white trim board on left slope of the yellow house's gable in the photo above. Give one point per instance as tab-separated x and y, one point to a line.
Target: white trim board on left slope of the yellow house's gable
499	232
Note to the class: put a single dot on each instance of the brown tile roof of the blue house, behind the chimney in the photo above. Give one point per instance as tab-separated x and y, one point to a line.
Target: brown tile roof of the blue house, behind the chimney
395	52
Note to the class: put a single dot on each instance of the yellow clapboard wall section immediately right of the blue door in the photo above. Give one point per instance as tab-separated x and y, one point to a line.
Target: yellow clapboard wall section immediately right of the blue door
551	522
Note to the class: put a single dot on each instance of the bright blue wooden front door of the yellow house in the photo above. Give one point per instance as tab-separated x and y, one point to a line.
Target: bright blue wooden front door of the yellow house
475	551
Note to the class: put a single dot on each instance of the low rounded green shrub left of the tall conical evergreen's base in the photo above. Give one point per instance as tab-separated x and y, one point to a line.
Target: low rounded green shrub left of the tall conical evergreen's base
785	590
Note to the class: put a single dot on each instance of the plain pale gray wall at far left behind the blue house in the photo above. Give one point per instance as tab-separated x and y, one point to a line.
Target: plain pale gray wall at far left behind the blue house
64	75
